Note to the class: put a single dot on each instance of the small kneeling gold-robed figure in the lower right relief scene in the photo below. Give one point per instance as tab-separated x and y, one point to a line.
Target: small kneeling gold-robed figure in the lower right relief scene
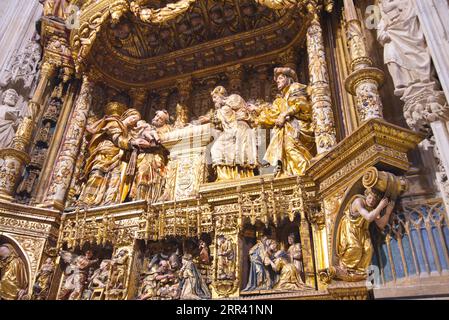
288	277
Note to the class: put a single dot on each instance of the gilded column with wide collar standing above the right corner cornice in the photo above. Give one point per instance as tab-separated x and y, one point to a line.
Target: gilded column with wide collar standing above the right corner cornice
365	80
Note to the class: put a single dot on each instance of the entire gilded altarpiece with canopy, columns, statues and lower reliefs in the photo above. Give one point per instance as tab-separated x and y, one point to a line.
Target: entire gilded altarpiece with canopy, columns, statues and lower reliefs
129	110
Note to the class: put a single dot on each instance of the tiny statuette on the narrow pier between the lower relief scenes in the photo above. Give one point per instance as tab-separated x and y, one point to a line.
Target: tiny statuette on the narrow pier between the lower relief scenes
226	258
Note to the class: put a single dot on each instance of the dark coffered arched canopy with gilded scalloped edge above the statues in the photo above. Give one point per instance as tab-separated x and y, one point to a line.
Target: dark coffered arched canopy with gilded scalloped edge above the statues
149	43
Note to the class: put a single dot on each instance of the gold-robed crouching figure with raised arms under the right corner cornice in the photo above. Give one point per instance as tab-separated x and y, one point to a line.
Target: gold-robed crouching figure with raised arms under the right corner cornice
354	248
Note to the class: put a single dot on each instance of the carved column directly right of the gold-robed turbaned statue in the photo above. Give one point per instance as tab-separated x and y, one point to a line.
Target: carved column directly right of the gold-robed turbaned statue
323	116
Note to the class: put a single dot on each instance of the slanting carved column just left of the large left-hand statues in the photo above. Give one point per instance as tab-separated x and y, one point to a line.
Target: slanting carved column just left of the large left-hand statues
65	164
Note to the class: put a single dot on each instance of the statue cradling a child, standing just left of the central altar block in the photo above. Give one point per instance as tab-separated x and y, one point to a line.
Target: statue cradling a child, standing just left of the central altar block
151	164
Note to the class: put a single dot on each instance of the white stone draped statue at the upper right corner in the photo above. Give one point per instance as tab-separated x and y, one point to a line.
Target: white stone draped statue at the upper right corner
405	48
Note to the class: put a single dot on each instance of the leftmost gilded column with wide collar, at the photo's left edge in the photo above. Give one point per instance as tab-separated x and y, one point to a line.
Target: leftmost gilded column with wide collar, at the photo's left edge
16	157
